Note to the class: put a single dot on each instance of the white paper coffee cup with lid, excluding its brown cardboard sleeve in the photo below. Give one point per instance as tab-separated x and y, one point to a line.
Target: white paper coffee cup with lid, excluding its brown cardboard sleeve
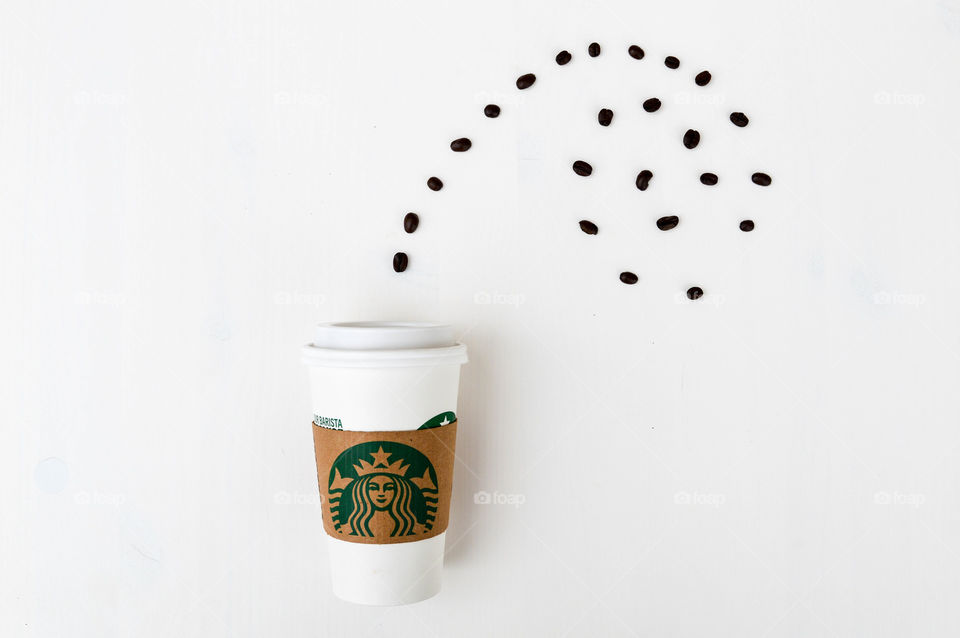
384	377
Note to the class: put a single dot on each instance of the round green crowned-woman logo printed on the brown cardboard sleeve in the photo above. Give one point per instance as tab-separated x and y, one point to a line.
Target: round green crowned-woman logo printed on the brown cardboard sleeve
382	489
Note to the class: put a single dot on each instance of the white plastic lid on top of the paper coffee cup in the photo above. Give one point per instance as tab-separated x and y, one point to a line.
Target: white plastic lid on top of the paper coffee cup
362	344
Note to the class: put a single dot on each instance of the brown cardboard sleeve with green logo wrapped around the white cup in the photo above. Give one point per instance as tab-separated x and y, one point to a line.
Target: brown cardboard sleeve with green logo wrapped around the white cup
385	487
